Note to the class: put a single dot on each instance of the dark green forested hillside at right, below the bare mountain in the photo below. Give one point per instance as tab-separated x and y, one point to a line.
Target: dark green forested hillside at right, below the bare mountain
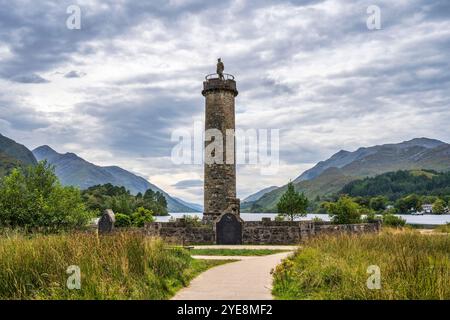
395	185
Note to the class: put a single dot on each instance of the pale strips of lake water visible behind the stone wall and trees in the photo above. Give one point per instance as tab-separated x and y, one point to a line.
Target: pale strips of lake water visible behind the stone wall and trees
425	219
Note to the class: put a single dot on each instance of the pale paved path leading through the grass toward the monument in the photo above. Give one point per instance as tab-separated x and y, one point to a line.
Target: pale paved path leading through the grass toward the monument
246	279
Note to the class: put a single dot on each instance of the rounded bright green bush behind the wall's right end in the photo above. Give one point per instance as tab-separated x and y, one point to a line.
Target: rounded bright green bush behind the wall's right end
344	211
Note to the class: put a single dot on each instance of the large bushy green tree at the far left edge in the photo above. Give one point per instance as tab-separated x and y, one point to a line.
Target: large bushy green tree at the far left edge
34	199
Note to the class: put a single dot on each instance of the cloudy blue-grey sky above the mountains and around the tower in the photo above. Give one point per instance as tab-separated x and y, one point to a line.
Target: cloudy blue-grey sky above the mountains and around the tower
115	90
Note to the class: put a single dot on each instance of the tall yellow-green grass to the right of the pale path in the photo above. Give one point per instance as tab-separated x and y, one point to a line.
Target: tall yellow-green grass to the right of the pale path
412	266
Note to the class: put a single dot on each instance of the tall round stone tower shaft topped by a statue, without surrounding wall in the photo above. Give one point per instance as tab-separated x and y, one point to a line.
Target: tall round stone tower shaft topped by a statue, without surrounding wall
220	91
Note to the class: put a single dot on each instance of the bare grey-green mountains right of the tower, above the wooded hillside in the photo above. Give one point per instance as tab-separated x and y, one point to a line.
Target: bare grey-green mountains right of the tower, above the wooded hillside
330	176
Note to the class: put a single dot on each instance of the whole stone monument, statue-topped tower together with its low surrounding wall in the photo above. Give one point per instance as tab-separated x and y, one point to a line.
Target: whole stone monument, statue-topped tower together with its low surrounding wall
222	223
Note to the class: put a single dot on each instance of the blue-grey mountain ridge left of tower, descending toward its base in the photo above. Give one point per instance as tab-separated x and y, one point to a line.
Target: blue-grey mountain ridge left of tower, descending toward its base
75	171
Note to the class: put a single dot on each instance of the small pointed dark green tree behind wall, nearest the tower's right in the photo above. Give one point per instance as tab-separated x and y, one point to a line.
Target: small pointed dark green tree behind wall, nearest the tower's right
292	204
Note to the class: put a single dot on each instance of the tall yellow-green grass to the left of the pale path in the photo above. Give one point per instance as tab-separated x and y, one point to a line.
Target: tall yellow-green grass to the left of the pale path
119	266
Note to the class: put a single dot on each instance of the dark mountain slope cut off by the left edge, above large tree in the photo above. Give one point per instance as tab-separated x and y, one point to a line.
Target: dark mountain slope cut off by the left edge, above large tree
13	155
